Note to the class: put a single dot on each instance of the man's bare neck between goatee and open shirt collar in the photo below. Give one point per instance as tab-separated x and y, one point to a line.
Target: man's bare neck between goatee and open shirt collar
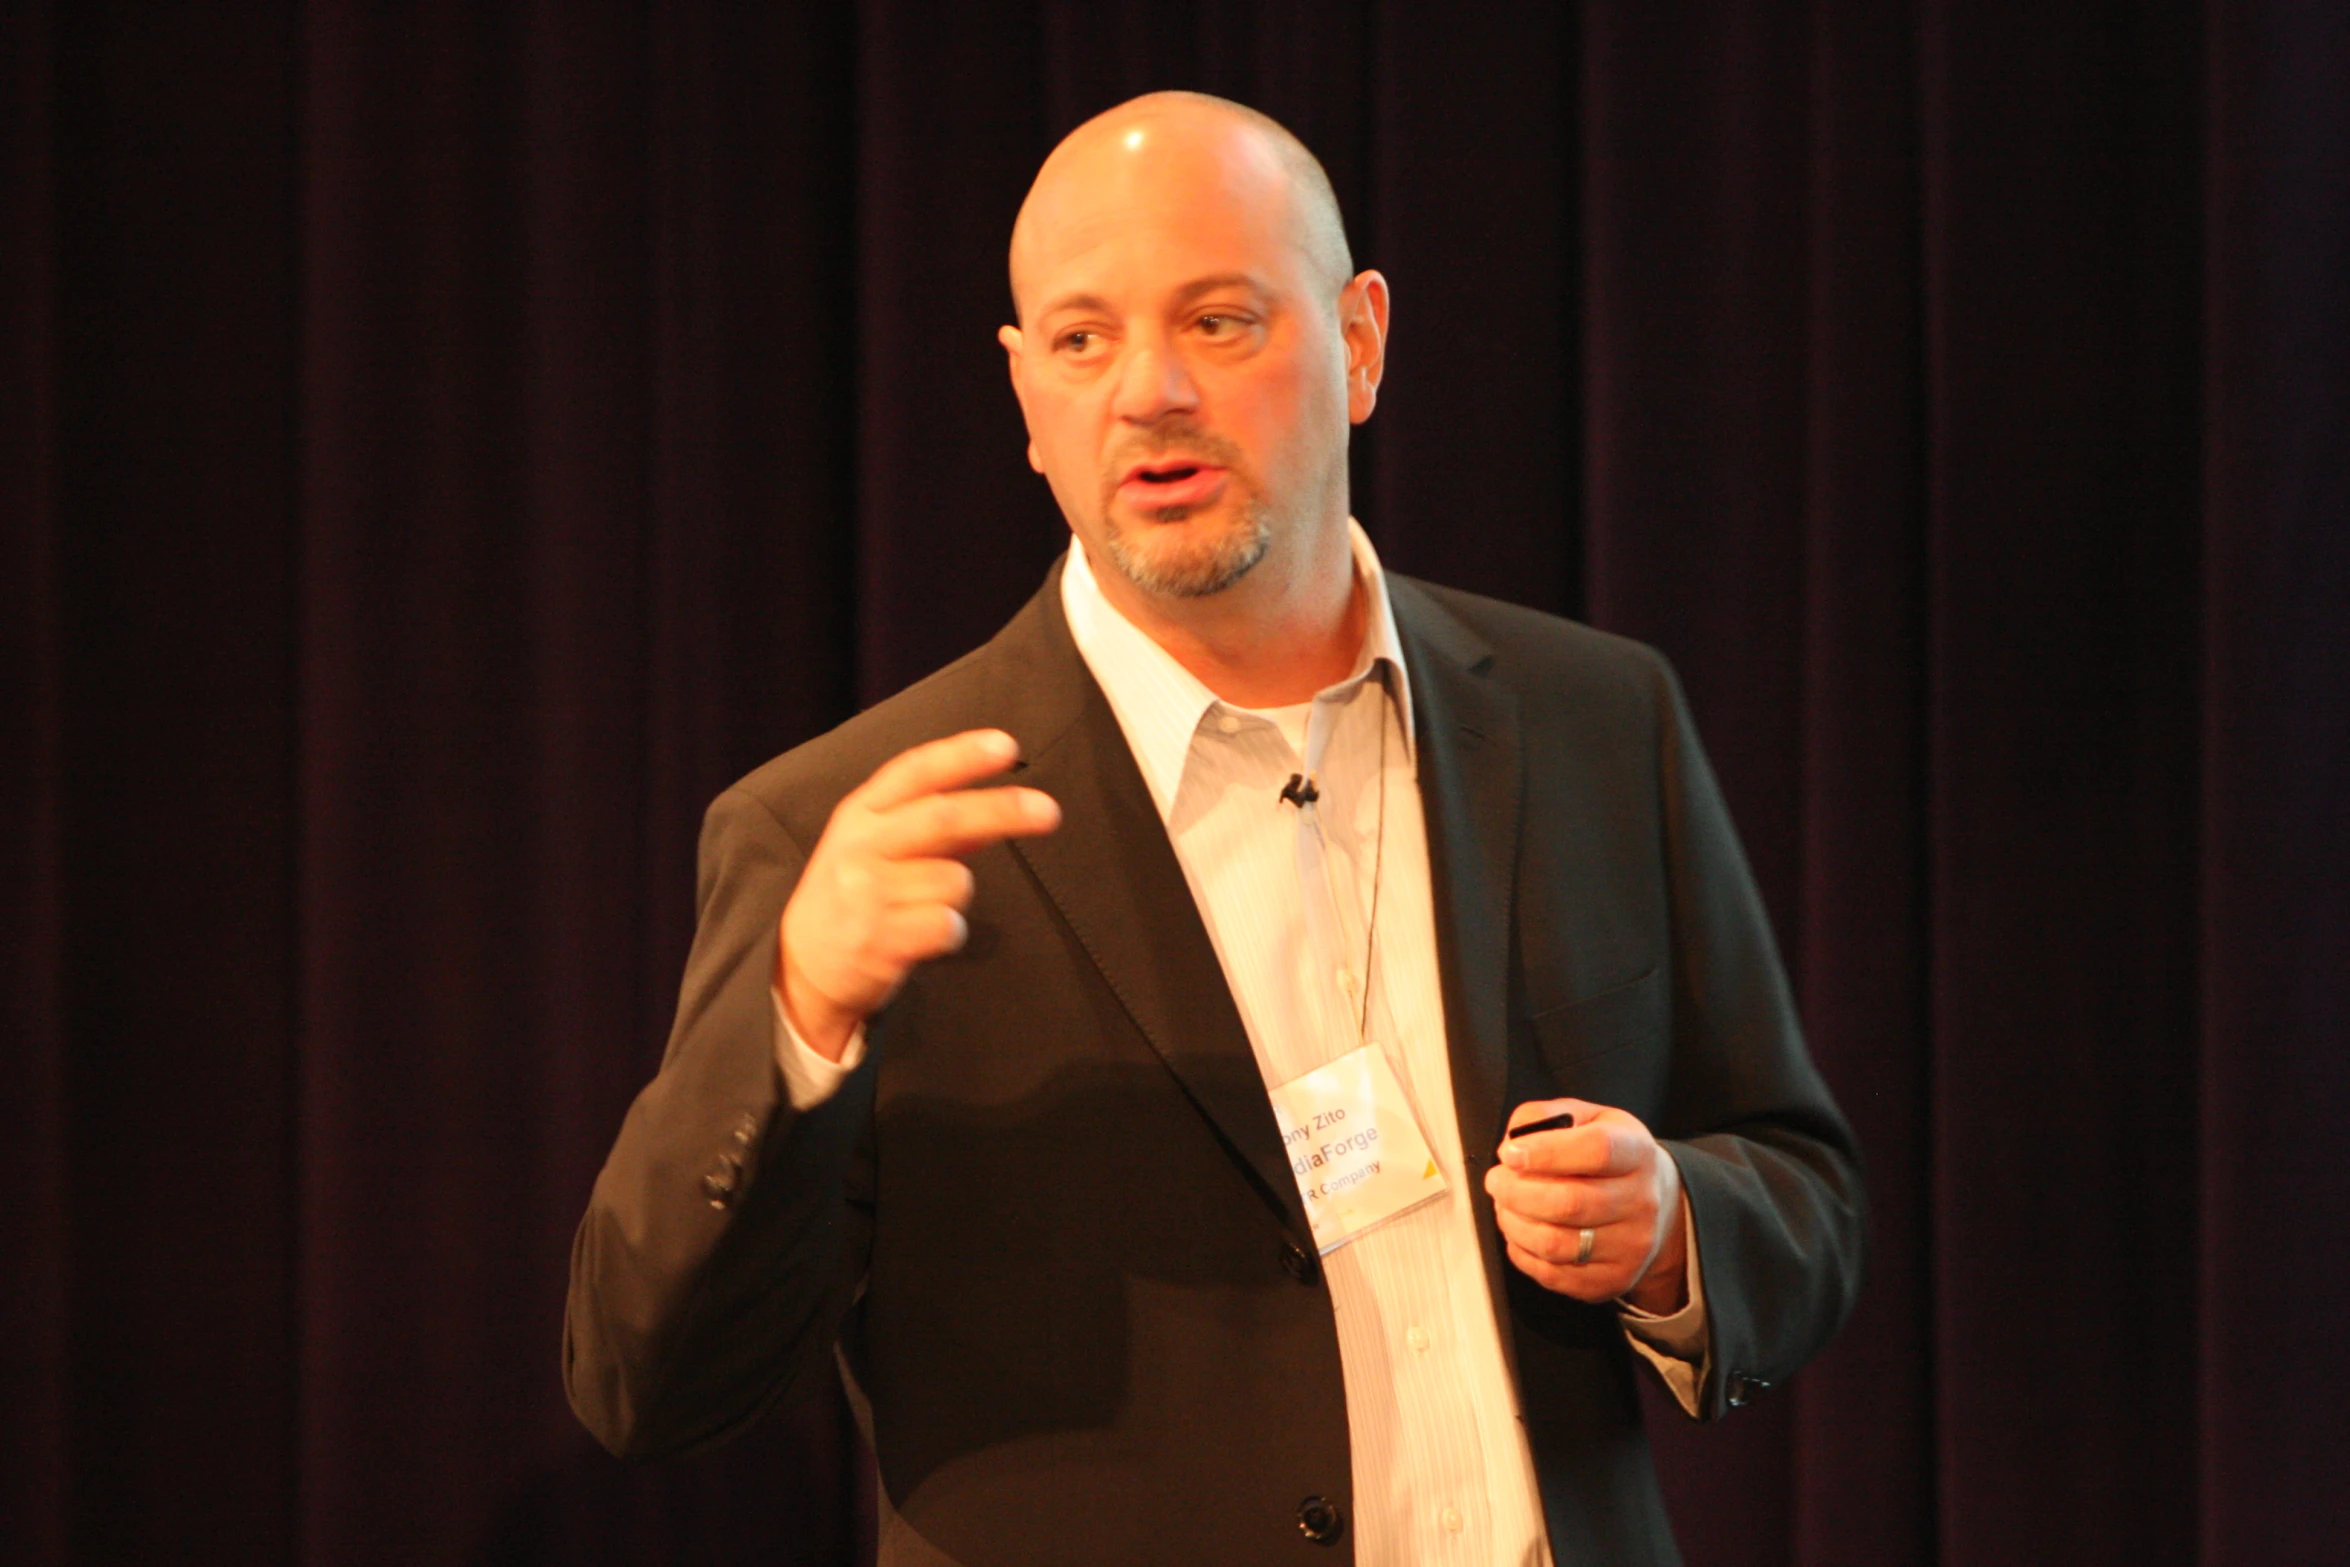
1270	640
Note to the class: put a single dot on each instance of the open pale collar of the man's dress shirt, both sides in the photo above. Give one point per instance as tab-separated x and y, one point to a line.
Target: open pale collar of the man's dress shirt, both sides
1162	706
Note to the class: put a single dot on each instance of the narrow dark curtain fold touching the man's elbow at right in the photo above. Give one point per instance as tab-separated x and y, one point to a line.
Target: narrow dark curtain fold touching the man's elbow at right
1865	1423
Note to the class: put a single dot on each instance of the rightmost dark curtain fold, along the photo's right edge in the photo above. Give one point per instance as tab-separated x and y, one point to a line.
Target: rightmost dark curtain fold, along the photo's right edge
2276	734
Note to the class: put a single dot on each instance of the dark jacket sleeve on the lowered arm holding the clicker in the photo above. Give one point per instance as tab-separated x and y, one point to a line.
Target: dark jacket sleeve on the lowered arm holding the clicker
1766	1159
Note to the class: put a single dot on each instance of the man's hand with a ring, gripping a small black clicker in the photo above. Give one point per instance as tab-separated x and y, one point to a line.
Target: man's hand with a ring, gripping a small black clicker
1602	1176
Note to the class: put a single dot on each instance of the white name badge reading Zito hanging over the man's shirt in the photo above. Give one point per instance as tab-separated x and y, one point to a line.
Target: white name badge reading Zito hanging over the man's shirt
1355	1148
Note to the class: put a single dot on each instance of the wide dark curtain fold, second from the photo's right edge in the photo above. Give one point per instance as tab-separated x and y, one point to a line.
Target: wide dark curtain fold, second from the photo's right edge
2062	539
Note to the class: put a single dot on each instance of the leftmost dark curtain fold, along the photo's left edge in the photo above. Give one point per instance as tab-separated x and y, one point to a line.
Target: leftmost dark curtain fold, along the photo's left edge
154	391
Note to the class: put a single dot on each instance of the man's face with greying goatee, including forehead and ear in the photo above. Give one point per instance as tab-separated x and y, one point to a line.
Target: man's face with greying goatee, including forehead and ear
1183	363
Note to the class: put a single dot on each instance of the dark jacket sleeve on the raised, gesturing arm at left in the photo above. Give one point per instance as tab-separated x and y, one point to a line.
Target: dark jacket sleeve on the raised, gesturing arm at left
720	1244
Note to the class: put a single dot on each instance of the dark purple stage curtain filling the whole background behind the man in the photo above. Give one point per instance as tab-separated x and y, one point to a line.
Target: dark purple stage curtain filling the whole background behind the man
443	445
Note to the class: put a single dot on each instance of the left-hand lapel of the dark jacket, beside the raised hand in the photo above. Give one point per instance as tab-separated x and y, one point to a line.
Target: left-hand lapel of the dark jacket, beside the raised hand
1115	880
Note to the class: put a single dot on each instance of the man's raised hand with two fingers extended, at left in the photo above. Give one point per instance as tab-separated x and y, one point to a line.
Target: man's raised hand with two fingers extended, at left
887	887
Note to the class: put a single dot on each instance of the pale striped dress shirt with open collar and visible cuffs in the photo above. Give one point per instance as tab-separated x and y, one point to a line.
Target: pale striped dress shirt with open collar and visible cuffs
1327	929
